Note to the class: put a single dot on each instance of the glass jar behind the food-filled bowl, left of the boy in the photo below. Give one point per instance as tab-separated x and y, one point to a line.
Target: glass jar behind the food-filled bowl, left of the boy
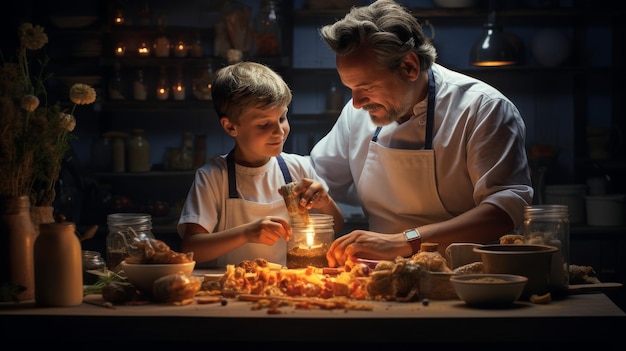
123	228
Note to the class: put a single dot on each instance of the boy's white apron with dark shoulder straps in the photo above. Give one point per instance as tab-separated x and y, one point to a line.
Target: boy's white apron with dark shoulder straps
239	211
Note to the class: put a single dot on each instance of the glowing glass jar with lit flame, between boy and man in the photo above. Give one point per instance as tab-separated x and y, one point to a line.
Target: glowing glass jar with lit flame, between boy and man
310	242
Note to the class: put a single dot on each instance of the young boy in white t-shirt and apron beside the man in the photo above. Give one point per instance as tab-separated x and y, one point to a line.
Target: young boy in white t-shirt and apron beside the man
234	210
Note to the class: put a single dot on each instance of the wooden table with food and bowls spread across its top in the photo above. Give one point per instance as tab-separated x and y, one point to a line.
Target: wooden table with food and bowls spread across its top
591	319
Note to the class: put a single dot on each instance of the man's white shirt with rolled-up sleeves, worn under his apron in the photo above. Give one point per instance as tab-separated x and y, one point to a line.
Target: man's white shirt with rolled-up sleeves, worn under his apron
478	143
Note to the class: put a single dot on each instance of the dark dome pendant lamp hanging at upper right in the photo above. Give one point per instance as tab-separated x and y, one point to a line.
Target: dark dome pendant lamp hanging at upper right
495	47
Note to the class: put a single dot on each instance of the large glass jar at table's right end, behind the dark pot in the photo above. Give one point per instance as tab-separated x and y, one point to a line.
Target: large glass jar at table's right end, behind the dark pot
549	225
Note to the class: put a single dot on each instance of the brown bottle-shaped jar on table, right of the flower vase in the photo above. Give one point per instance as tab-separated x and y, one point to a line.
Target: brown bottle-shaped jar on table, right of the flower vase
58	266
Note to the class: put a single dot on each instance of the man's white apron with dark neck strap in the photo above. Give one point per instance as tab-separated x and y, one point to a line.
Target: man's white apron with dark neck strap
398	187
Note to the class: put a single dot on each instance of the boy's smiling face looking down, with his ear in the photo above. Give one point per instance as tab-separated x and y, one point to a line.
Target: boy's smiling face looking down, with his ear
259	134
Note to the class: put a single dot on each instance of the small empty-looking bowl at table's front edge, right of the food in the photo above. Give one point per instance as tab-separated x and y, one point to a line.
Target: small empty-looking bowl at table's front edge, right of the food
490	290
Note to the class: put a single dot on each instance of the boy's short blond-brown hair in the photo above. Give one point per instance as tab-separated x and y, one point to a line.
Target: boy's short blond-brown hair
245	85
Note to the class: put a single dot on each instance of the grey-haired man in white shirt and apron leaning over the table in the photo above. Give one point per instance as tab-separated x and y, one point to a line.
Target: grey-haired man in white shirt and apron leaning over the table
430	154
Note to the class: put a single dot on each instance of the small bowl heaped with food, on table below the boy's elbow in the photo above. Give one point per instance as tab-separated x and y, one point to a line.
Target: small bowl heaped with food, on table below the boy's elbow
143	275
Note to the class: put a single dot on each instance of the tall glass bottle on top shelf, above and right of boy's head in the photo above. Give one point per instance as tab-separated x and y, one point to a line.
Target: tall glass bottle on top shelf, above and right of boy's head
267	35
